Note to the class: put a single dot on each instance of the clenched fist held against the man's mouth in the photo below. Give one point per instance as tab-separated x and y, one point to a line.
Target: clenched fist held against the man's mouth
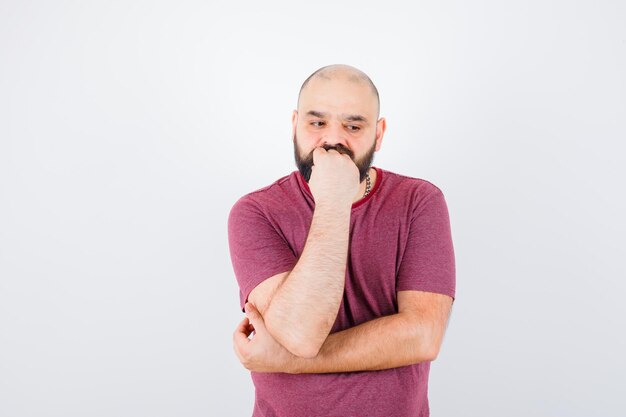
334	177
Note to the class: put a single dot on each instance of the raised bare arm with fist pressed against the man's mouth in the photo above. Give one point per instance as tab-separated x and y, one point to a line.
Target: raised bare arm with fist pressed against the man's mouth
300	307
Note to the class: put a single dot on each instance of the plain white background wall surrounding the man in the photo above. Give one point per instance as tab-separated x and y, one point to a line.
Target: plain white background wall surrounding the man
129	128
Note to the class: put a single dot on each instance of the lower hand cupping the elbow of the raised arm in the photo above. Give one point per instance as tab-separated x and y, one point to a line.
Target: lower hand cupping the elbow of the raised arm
262	353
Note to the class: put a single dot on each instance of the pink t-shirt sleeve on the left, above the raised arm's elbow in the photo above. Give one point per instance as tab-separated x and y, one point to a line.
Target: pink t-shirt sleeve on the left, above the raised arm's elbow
257	249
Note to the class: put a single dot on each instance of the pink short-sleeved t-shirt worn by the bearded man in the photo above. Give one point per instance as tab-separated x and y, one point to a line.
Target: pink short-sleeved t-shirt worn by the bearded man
399	240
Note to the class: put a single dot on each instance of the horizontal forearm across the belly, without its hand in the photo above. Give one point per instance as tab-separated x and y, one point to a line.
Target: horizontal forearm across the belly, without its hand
382	343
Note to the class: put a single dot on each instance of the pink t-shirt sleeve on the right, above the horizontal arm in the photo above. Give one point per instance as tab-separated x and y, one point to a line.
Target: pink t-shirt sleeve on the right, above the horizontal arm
428	262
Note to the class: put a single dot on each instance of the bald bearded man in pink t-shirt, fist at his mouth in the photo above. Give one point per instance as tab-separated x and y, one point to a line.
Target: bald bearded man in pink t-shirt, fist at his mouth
346	271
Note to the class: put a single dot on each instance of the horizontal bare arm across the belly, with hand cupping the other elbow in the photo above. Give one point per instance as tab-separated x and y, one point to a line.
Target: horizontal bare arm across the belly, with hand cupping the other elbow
412	335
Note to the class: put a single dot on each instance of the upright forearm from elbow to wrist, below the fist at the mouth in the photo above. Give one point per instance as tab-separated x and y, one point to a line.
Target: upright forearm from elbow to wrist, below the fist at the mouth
303	309
